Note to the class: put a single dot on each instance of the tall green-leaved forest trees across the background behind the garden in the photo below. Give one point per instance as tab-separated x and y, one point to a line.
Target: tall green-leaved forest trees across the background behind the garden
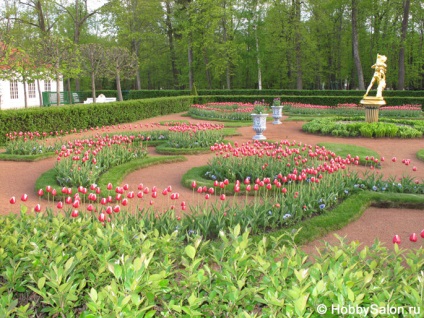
219	44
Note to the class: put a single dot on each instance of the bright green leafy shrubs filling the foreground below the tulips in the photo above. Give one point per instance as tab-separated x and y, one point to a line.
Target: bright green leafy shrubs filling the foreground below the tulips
57	266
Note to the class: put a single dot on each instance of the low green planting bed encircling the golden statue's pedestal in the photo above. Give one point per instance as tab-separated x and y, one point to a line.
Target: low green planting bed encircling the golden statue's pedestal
350	127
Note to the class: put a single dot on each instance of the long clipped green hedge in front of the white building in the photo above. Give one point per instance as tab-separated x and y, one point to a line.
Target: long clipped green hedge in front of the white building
80	116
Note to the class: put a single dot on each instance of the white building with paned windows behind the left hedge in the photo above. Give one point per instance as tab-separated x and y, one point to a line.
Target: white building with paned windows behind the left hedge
12	94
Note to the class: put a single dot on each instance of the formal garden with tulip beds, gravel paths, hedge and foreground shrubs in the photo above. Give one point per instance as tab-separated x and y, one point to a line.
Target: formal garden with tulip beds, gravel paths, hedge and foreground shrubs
95	238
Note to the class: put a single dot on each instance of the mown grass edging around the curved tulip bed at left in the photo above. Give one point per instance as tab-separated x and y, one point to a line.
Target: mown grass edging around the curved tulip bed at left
114	175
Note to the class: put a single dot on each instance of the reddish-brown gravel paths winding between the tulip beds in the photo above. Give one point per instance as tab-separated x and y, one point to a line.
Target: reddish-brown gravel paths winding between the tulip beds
376	223
